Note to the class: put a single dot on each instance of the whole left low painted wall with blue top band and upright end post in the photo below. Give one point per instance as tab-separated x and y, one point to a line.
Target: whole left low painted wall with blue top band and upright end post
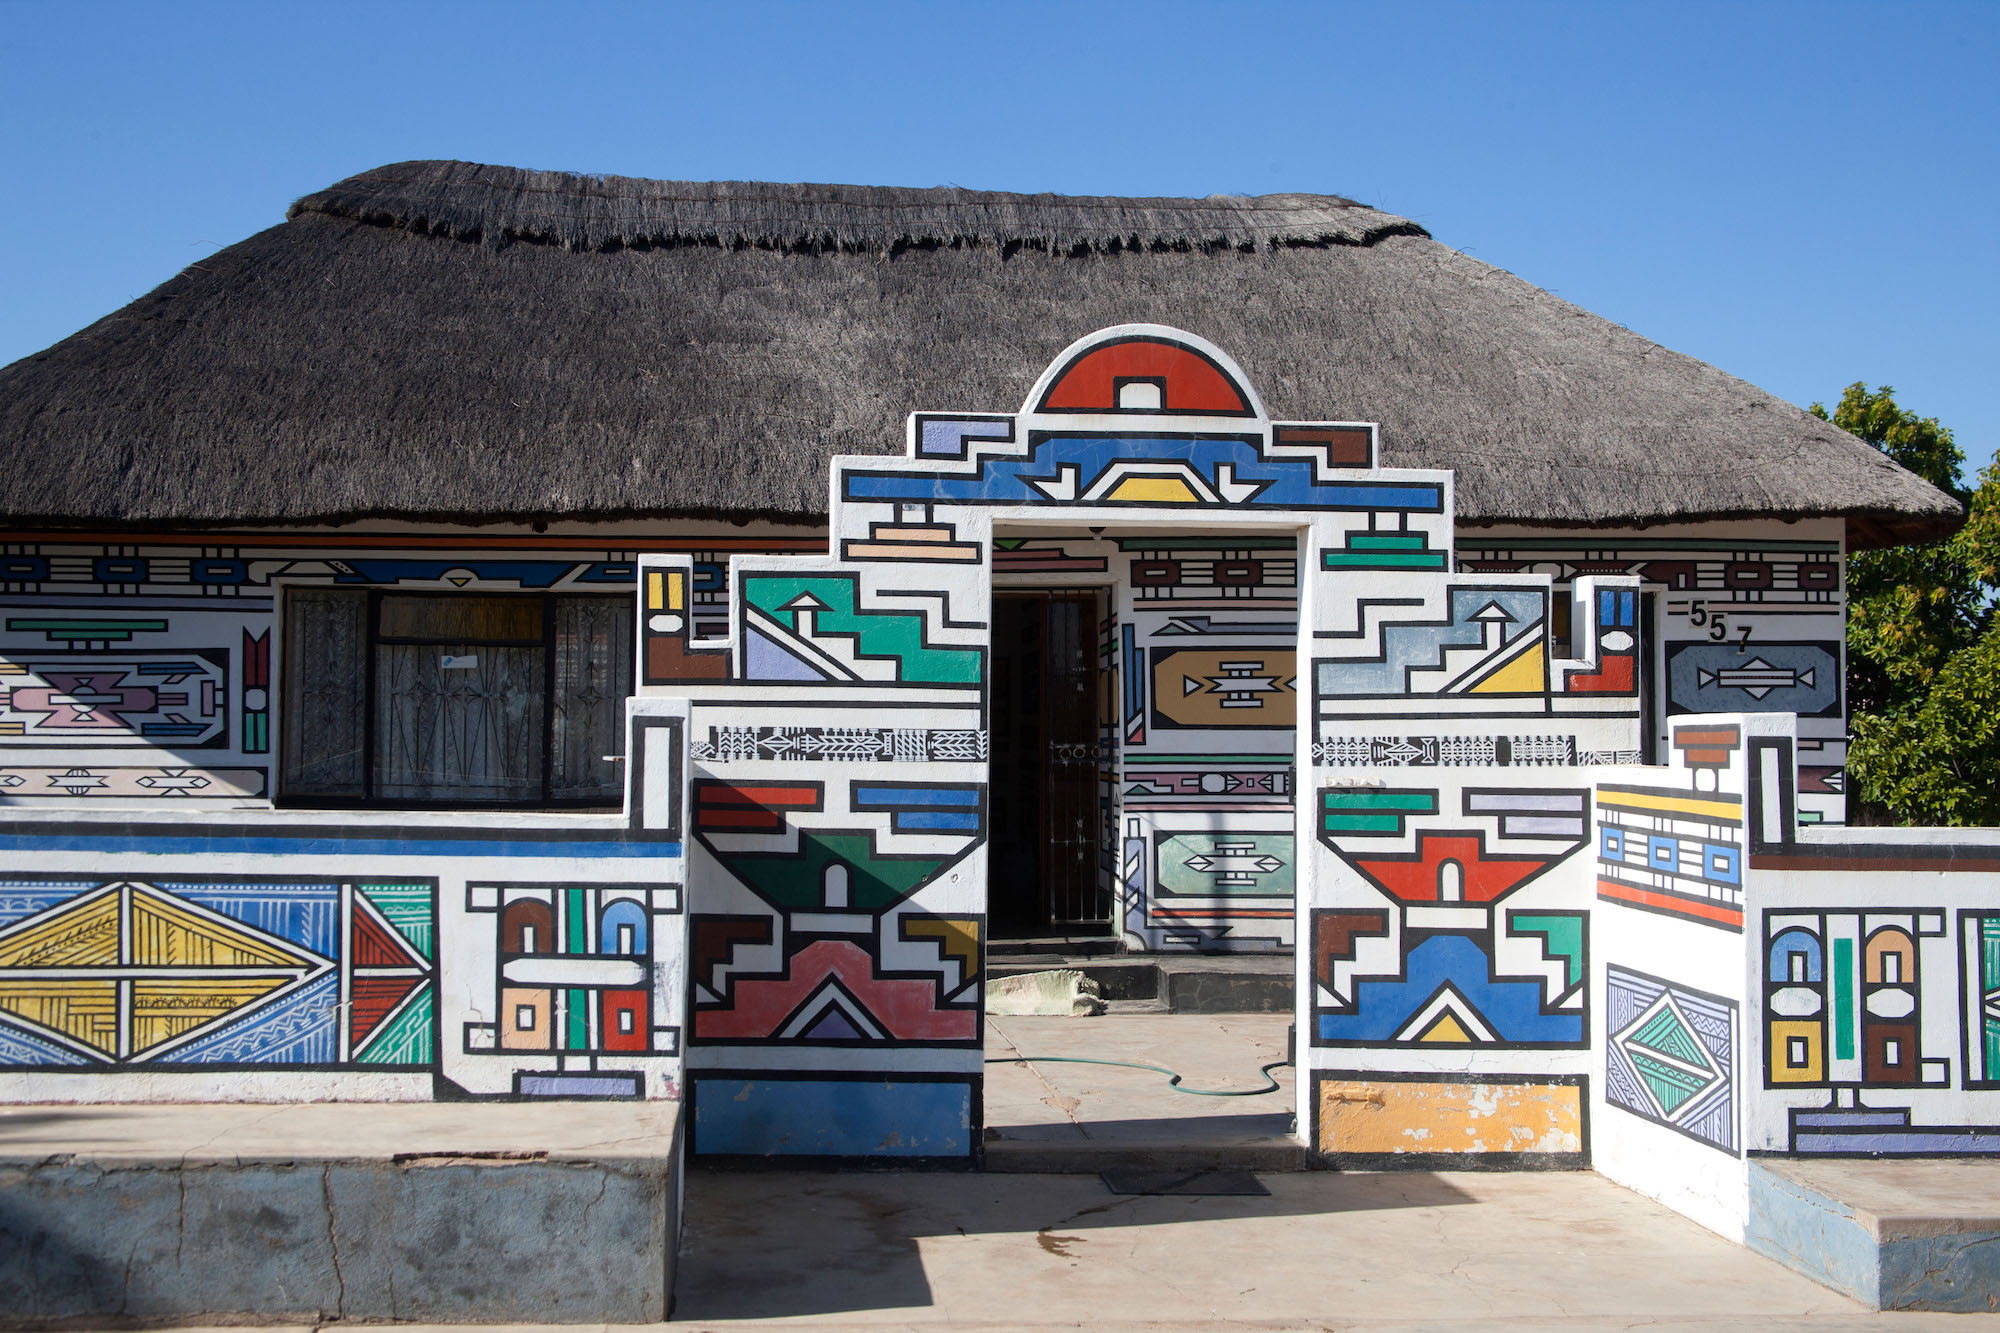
155	956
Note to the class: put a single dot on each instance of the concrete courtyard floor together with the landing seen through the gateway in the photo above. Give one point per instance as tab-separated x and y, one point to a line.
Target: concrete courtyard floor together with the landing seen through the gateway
1021	1248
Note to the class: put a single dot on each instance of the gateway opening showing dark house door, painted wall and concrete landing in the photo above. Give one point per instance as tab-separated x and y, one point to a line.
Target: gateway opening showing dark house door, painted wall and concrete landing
1085	1022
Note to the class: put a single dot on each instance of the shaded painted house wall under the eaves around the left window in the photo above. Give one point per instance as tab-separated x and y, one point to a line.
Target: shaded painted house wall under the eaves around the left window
147	672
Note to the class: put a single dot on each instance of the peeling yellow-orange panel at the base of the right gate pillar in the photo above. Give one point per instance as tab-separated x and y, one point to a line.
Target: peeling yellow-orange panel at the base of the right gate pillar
1387	1116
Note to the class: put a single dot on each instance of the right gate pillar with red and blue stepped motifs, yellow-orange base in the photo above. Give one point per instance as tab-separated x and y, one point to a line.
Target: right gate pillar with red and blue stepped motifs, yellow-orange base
1445	976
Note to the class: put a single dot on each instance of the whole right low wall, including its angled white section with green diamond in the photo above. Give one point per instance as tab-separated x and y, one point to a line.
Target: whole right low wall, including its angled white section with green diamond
1775	988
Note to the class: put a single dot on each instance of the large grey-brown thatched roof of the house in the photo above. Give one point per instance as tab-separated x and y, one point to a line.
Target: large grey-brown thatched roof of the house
465	343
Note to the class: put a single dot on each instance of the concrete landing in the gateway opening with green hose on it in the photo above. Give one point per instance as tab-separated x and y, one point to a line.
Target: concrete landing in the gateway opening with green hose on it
1047	1112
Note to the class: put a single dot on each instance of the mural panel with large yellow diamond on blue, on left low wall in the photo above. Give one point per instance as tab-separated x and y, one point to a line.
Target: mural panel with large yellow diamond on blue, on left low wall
267	974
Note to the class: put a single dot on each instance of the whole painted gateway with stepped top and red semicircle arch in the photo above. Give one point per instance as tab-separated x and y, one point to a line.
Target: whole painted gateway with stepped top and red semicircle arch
841	760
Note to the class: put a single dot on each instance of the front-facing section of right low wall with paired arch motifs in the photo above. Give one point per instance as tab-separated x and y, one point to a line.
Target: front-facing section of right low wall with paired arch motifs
1875	994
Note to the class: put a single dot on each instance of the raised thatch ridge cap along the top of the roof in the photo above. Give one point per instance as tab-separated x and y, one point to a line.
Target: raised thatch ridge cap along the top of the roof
499	205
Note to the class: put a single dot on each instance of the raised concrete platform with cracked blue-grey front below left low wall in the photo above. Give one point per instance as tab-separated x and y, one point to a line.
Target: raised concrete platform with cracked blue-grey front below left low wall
549	1214
